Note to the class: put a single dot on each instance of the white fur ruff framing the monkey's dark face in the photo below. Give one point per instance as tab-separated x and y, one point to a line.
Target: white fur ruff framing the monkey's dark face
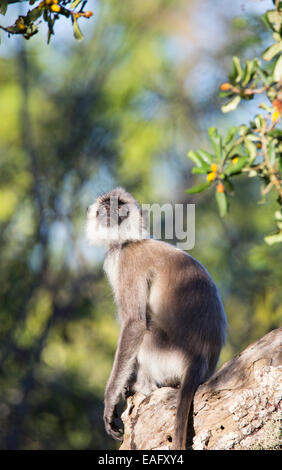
130	229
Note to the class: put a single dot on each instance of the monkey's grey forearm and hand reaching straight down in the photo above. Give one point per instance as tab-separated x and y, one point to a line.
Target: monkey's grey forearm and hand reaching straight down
131	336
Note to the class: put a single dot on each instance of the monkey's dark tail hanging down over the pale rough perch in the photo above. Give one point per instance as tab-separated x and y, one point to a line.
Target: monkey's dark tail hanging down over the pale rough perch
192	378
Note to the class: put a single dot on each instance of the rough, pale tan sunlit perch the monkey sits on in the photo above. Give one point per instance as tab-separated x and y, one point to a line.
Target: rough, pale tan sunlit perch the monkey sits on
239	407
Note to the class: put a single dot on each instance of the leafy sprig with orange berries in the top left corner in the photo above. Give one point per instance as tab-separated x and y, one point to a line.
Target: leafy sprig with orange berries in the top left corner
48	11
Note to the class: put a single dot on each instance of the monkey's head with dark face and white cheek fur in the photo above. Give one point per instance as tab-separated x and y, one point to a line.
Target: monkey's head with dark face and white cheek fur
115	218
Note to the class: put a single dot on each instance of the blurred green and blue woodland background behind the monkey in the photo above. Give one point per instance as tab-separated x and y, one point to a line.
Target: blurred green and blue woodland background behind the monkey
122	107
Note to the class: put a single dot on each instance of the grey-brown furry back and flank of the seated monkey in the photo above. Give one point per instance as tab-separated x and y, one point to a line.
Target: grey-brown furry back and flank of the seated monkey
184	307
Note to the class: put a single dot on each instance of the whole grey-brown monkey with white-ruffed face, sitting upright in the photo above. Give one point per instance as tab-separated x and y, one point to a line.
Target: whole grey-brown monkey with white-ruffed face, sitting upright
172	319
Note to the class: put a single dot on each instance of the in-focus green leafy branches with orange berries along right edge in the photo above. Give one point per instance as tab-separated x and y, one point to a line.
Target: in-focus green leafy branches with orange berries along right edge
254	149
